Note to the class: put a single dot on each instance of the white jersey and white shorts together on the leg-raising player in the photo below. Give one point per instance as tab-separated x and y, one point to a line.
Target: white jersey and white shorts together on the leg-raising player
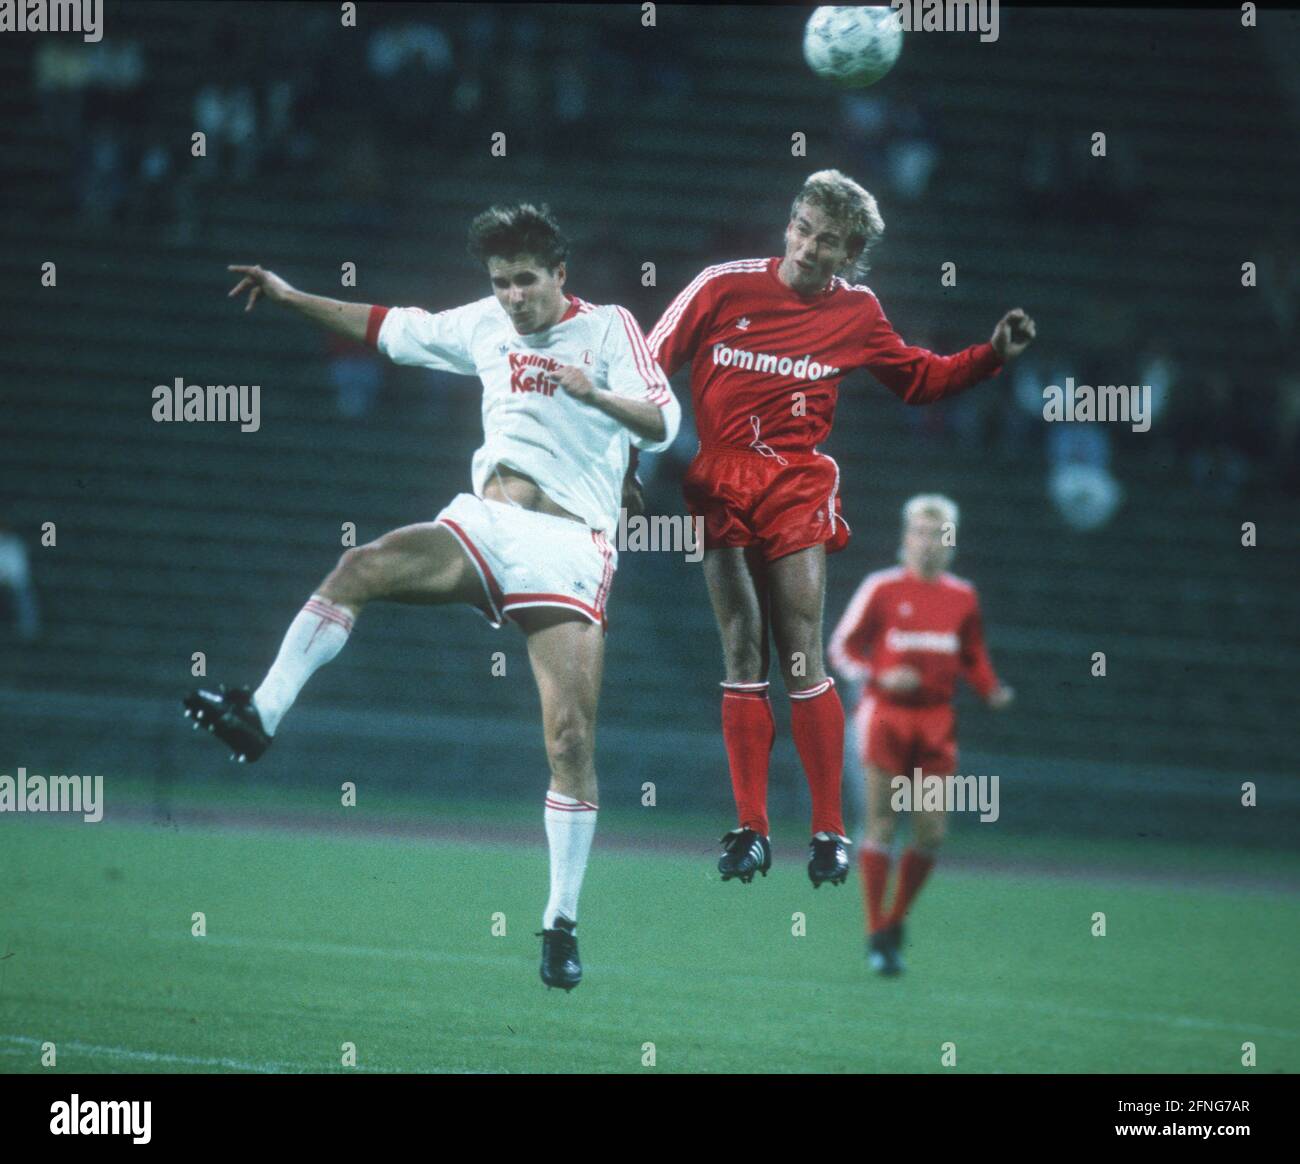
528	560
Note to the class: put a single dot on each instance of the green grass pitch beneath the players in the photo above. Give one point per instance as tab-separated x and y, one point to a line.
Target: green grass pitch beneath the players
323	938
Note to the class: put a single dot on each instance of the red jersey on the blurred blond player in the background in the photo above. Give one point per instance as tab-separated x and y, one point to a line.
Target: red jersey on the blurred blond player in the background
934	626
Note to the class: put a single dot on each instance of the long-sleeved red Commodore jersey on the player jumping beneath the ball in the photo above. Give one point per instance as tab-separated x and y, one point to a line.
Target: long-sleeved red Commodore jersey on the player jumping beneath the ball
755	343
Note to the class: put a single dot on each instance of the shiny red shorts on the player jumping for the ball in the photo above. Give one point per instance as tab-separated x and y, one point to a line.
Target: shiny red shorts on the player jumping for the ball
783	503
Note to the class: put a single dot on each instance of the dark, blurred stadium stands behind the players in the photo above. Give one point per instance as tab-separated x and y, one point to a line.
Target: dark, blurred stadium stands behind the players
668	146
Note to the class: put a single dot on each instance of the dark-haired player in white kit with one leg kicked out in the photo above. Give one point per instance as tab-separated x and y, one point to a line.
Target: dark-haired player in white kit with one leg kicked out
569	391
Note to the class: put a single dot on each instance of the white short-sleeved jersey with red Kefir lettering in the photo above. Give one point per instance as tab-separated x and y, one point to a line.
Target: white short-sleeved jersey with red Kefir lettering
574	452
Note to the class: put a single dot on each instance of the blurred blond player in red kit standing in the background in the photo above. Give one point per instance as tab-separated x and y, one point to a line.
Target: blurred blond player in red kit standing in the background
908	635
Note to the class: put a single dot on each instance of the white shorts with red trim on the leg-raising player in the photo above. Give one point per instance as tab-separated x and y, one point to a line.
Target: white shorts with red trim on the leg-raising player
526	559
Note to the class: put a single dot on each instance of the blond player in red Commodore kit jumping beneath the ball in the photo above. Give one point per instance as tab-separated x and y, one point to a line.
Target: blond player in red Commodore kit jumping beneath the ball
769	343
